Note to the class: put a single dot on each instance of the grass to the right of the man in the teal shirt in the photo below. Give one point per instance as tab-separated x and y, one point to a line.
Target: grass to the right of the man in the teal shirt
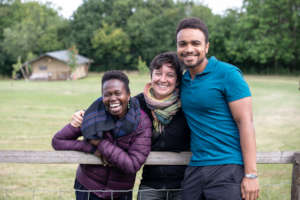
276	108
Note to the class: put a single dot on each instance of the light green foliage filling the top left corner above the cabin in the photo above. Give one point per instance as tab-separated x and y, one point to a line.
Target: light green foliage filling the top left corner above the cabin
28	27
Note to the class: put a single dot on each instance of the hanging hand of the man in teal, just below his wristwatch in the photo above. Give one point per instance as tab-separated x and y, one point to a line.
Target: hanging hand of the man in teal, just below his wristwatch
250	188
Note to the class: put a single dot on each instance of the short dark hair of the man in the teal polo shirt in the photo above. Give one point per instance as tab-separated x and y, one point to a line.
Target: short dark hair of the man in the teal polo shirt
194	23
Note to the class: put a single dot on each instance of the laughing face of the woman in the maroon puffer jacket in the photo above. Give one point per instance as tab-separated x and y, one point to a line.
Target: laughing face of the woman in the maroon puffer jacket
115	97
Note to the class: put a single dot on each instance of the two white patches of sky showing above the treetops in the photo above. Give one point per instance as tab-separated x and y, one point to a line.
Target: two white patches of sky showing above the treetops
217	6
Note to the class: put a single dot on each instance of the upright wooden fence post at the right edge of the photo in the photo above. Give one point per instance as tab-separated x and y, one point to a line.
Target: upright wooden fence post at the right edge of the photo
295	195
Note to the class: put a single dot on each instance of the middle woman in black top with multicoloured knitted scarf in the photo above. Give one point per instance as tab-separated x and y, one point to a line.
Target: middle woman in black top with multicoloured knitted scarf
160	100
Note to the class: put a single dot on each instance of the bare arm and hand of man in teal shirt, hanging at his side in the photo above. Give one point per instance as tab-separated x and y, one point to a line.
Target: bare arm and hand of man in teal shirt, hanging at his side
242	113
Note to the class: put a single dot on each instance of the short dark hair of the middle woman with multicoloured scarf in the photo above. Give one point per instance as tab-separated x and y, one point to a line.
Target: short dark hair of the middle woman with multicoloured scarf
167	57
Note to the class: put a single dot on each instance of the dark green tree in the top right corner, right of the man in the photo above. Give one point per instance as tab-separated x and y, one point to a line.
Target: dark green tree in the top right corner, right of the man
265	37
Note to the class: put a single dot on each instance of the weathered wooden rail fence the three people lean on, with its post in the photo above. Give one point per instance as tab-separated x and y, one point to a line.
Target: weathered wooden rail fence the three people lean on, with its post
155	158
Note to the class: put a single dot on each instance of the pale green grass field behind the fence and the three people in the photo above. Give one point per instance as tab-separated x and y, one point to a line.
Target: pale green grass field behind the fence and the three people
31	112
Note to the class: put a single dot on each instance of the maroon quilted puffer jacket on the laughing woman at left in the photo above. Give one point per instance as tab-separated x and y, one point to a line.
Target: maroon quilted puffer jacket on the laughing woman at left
127	154
